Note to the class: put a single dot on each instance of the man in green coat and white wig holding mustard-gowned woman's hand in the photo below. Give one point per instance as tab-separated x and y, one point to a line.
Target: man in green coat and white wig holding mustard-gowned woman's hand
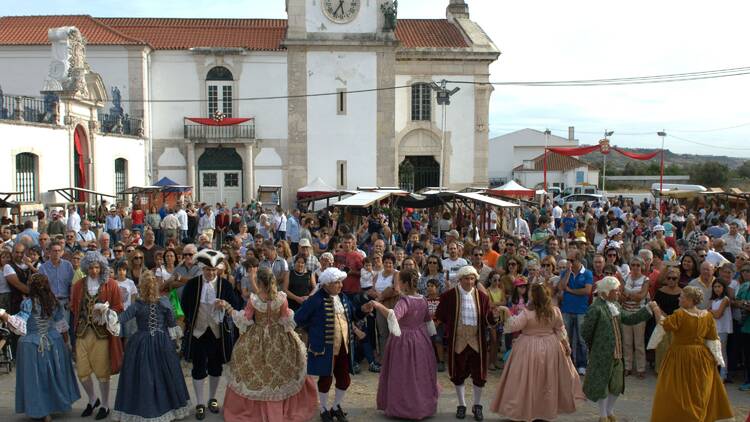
602	332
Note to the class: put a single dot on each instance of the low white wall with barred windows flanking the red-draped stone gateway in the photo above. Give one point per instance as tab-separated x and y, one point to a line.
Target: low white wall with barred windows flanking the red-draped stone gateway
53	147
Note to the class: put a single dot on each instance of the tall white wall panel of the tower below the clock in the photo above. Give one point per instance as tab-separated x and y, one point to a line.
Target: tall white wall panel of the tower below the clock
351	137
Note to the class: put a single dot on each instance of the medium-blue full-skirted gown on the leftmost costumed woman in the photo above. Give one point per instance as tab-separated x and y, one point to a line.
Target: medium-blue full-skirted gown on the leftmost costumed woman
43	360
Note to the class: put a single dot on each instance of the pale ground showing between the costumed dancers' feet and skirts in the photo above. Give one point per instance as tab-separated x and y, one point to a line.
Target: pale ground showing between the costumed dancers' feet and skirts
634	406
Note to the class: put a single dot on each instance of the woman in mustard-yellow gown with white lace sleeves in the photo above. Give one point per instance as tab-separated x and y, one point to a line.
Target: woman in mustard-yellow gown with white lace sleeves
689	387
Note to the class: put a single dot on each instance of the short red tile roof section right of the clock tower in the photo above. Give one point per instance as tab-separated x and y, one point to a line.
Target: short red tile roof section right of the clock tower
436	33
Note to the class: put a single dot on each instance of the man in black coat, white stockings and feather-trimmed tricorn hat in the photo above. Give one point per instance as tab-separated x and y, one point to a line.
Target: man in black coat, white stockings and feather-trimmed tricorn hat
209	334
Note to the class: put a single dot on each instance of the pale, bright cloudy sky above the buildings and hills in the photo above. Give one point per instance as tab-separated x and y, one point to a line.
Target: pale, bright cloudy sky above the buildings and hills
549	40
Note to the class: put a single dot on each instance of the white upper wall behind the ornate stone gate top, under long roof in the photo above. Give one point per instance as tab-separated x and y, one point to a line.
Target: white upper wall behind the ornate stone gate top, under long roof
25	68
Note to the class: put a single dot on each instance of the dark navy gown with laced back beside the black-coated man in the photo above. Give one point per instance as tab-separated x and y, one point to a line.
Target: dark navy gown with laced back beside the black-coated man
151	384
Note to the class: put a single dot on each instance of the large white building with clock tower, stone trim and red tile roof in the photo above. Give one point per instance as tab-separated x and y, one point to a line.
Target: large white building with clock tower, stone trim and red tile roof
340	95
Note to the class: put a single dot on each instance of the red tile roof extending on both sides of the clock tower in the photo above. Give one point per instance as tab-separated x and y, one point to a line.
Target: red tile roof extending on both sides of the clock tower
179	33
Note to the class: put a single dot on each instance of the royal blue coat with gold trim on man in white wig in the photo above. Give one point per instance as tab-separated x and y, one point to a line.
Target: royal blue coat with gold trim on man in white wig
316	316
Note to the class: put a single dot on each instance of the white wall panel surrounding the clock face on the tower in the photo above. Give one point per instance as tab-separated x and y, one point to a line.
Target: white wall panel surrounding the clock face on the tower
366	20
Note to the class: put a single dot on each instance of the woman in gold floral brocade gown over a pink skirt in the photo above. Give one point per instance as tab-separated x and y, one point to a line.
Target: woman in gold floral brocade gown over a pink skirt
268	379
